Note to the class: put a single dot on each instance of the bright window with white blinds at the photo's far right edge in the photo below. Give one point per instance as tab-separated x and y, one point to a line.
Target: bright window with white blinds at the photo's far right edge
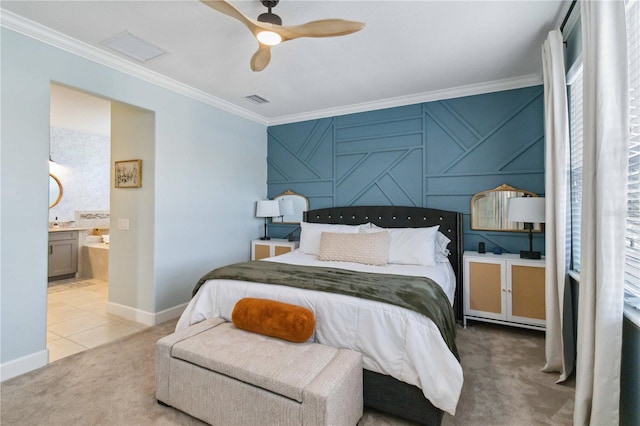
632	241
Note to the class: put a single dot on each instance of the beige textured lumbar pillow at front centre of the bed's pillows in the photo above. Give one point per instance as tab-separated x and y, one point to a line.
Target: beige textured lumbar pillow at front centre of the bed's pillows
369	248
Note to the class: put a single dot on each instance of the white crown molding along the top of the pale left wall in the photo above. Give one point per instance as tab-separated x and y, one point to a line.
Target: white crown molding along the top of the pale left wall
54	38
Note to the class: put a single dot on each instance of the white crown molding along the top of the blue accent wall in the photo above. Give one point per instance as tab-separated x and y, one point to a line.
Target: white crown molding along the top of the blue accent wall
436	95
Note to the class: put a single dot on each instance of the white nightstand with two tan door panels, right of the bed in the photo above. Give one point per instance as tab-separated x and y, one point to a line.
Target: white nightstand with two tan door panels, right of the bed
504	289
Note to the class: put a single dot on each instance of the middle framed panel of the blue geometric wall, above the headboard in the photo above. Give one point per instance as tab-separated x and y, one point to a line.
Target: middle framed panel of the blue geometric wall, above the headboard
389	148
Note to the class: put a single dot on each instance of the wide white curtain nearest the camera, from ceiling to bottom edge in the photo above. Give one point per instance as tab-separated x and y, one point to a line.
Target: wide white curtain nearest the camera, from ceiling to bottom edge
606	137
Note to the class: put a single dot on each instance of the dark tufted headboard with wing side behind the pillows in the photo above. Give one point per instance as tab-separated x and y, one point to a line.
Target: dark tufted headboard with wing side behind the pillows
403	217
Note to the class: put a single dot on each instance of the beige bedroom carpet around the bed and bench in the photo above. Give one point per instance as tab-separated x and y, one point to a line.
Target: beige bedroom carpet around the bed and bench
114	385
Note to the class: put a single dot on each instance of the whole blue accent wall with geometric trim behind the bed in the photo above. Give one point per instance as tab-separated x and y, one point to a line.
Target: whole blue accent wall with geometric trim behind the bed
434	154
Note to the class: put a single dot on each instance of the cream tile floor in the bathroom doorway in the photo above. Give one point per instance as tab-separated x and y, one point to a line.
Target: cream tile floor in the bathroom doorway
77	319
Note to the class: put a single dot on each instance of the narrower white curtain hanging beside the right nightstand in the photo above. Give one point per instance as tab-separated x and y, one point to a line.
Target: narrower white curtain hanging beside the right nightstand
559	345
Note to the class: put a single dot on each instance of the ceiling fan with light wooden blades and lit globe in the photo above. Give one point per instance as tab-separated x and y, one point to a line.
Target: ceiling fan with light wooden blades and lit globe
268	29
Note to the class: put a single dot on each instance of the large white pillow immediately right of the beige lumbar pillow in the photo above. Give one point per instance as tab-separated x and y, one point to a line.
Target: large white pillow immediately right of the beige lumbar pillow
412	246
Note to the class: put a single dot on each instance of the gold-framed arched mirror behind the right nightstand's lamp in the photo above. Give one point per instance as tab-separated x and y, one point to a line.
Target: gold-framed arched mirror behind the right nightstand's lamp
489	210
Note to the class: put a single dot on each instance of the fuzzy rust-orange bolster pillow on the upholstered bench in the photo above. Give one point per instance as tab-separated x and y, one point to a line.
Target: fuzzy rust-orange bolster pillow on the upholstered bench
275	319
